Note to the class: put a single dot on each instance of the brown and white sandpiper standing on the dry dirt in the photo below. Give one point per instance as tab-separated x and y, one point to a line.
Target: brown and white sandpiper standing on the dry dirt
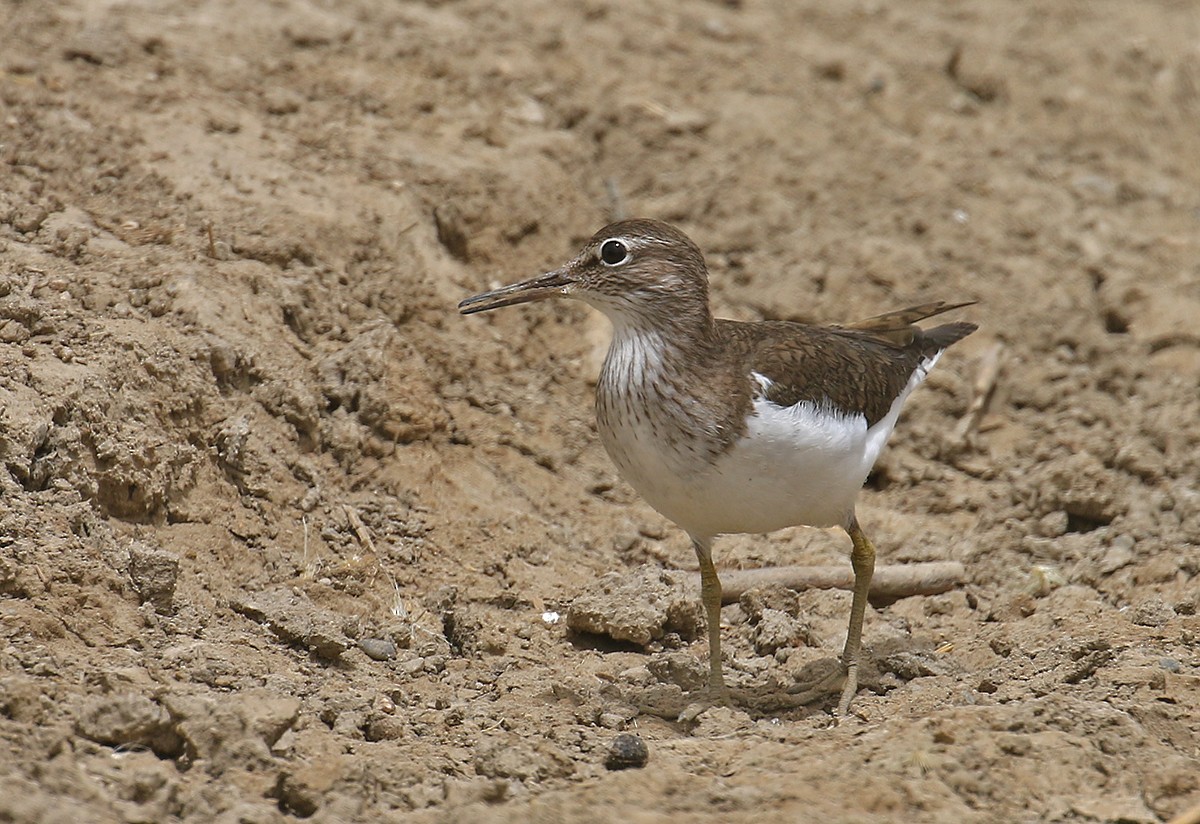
737	428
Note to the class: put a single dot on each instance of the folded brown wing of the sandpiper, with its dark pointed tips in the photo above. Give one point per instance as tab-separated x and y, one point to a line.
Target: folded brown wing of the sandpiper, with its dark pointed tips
862	366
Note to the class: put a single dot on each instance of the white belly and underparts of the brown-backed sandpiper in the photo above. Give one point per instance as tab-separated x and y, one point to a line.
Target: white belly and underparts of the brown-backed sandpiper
796	466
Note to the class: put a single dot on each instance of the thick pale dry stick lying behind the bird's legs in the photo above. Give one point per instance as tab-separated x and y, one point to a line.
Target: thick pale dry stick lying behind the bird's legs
890	582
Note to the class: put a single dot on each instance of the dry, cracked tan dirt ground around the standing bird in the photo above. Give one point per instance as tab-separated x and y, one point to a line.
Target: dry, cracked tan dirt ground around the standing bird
284	537
